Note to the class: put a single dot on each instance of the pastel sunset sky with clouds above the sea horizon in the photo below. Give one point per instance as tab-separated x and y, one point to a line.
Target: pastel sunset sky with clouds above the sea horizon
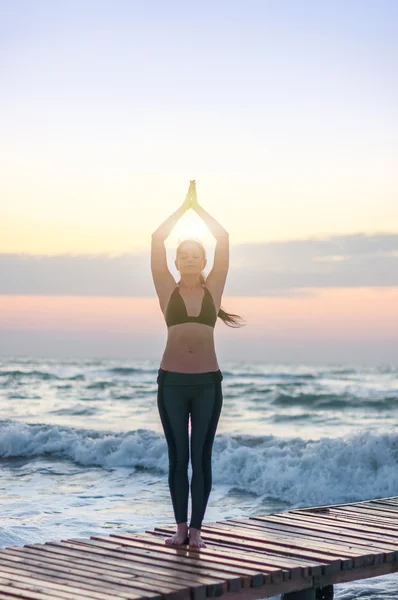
285	114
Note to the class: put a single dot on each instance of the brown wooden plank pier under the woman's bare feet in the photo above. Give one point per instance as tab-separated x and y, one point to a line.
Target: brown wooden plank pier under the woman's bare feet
298	554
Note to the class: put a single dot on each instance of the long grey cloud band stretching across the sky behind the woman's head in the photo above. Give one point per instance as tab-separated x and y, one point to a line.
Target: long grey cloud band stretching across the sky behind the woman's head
271	269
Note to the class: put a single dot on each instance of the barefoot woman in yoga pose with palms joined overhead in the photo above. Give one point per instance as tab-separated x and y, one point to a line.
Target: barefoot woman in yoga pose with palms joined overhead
189	378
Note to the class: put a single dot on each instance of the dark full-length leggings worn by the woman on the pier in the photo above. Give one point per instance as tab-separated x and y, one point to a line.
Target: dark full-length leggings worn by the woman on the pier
181	395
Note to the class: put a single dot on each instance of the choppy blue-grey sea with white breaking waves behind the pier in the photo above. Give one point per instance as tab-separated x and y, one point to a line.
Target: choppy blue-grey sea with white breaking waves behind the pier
82	449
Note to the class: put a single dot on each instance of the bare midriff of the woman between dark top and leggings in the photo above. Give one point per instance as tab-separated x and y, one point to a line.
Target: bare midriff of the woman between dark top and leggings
190	349
